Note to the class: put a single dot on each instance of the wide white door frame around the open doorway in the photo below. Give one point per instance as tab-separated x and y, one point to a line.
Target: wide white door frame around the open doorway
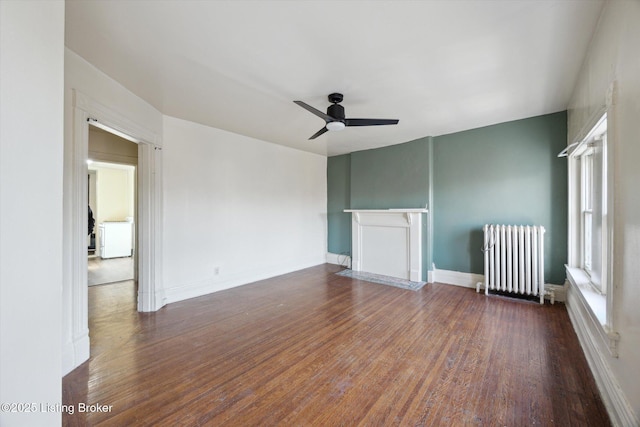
150	289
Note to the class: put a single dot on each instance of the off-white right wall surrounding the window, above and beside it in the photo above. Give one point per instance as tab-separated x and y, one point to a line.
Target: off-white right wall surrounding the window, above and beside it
613	56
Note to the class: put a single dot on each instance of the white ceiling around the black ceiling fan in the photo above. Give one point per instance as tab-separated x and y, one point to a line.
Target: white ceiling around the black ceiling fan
437	66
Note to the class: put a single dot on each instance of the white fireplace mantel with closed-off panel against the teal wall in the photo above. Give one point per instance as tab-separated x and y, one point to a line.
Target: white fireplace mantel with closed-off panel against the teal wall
387	242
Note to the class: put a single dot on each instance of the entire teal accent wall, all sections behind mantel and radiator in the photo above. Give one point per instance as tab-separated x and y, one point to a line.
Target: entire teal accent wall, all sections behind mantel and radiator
506	173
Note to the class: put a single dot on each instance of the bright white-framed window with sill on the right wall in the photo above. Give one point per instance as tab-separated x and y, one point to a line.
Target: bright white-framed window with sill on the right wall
591	193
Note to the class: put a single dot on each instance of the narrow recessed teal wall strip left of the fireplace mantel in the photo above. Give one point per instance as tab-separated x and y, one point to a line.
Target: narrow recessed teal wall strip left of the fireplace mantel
338	199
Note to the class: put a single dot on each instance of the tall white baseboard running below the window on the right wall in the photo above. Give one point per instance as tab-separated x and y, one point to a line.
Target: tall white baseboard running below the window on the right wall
597	347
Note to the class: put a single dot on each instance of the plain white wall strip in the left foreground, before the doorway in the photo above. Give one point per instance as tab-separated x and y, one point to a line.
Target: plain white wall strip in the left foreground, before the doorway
31	91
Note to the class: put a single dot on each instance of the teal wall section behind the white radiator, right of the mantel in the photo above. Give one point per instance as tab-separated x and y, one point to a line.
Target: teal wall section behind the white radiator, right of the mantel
503	174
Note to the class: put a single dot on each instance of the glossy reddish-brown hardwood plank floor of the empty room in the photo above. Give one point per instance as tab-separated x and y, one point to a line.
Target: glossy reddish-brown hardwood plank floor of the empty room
314	348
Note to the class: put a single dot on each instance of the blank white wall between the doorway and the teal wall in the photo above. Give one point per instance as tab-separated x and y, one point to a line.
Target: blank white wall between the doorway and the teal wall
248	208
